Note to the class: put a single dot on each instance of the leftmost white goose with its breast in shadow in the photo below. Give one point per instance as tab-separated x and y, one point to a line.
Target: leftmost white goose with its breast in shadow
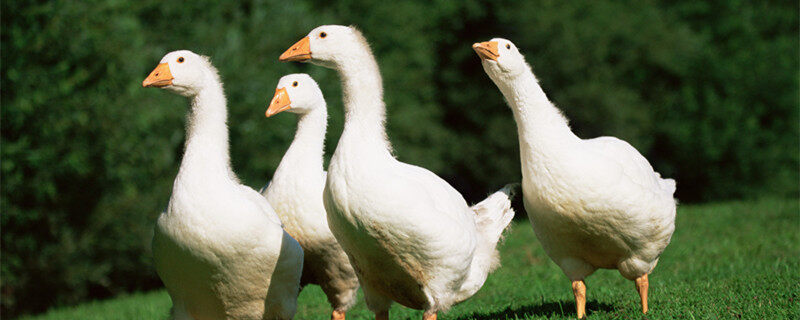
219	247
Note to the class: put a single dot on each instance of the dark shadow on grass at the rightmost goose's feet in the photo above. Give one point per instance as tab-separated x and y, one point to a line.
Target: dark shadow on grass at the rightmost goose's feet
548	309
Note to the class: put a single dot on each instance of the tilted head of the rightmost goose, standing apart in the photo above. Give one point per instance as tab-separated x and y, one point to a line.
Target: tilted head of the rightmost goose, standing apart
500	59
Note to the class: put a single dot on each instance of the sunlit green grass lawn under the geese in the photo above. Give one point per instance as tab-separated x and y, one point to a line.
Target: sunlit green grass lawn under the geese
726	260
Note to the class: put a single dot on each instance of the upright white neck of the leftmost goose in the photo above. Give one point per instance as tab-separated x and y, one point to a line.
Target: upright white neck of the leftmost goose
207	151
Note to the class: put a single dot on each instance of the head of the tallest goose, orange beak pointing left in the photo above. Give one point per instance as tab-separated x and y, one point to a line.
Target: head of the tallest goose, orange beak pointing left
328	46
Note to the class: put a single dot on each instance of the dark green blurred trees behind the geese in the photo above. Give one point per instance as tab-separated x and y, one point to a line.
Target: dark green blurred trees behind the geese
707	90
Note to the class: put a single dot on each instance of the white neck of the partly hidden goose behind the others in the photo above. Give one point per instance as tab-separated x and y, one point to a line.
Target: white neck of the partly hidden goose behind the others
305	154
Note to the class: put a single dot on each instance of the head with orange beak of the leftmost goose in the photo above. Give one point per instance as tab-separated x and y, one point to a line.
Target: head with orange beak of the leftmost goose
183	72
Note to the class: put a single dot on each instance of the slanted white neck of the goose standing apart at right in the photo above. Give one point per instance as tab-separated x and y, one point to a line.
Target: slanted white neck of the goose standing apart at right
541	127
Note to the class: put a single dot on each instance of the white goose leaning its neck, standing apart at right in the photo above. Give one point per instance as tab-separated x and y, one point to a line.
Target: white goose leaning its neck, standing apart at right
593	203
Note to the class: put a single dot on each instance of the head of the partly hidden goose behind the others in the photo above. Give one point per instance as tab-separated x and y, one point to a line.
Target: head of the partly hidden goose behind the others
297	93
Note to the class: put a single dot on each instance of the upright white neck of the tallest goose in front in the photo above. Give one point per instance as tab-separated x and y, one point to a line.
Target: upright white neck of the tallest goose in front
365	111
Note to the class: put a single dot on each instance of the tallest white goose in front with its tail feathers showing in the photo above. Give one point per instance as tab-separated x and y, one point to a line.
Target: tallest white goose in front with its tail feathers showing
410	236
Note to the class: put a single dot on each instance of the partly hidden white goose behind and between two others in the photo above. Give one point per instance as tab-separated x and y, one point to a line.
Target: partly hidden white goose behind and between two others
296	193
